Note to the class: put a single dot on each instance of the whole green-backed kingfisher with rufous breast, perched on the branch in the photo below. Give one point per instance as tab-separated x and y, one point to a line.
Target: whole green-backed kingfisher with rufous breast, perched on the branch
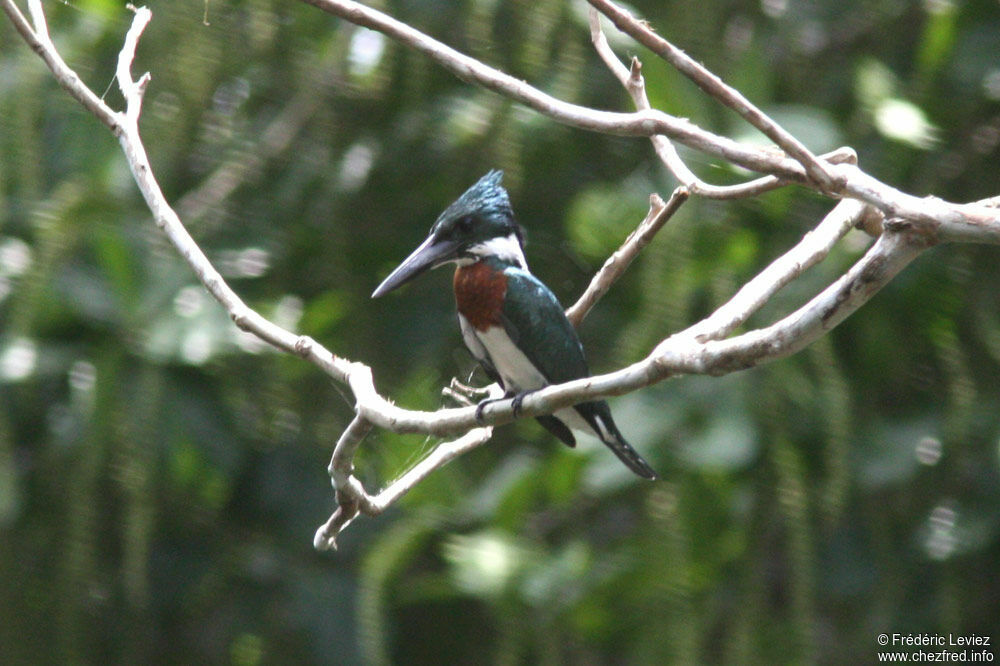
511	322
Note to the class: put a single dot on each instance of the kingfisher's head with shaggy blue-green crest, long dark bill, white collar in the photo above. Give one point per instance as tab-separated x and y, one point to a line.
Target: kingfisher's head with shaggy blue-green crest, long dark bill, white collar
478	224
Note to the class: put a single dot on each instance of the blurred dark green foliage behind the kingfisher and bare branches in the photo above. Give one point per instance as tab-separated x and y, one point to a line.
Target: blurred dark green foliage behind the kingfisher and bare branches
161	475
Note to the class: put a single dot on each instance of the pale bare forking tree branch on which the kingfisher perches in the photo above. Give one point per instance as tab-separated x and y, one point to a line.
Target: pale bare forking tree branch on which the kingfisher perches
909	226
